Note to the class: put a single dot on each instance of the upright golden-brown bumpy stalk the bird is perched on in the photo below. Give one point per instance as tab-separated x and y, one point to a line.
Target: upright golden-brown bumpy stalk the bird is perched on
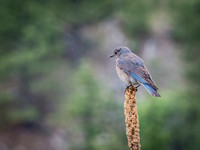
131	119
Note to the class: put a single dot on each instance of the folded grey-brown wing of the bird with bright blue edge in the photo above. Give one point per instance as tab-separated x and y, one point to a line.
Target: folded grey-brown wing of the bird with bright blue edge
136	70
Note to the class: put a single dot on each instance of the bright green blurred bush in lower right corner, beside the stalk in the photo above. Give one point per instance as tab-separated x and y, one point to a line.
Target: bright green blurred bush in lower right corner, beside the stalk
170	123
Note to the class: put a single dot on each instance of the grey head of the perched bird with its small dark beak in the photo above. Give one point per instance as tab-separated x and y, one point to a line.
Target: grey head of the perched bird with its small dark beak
119	51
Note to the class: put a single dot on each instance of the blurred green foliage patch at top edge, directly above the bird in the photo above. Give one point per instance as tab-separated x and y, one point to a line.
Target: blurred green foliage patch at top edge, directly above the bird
134	19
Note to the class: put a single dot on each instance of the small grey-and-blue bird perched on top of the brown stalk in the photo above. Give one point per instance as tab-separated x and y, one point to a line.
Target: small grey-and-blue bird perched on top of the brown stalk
132	70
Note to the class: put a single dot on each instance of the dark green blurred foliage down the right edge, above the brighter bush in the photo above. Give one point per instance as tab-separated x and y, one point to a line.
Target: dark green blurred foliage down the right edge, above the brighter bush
187	32
